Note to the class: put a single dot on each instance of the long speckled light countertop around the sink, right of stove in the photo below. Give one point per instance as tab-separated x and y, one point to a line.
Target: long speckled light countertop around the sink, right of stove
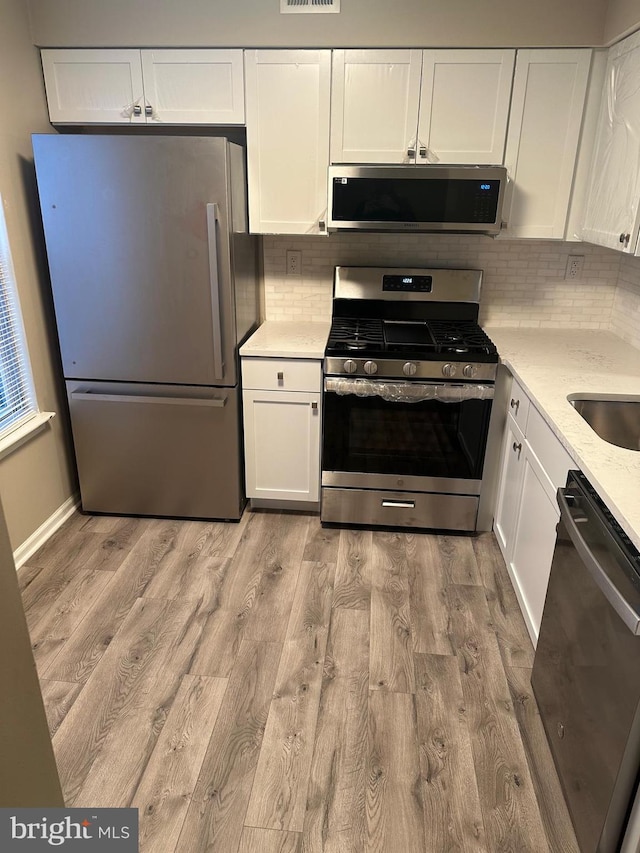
551	363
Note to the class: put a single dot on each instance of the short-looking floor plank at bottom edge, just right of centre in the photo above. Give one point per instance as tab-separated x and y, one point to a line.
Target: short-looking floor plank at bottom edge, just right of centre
395	818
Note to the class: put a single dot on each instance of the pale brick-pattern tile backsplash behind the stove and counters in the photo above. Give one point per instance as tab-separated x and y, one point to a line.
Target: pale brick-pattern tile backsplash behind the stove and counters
523	283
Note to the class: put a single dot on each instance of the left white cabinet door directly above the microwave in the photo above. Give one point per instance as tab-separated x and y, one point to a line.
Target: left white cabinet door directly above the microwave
374	105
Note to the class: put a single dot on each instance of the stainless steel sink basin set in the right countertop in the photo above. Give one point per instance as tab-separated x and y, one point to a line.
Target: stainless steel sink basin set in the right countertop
615	418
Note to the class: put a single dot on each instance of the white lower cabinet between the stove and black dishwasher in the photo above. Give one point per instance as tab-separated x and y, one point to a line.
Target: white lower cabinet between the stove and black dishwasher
534	465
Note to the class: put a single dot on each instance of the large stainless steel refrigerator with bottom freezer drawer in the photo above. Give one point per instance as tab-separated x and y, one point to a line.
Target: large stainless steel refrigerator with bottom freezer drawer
154	282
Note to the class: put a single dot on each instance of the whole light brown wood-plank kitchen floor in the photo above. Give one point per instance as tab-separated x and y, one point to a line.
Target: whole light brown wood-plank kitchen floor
273	686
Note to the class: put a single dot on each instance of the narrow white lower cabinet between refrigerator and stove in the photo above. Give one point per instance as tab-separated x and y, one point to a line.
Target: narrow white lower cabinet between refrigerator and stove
282	427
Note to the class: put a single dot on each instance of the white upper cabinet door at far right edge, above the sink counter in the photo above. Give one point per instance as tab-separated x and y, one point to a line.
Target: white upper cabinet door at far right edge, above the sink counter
611	211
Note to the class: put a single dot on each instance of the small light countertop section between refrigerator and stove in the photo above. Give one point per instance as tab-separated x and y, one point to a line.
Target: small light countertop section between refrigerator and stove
282	339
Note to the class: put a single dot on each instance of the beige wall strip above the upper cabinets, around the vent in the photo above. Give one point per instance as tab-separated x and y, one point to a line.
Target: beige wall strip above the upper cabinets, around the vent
361	23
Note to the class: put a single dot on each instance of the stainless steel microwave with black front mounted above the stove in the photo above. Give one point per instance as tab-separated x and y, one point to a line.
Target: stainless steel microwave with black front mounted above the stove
416	198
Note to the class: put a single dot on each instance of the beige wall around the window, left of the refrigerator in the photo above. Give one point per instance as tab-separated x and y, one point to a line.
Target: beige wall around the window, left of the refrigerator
37	478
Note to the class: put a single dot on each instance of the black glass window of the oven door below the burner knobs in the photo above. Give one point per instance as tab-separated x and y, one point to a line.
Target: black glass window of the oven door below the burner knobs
430	438
